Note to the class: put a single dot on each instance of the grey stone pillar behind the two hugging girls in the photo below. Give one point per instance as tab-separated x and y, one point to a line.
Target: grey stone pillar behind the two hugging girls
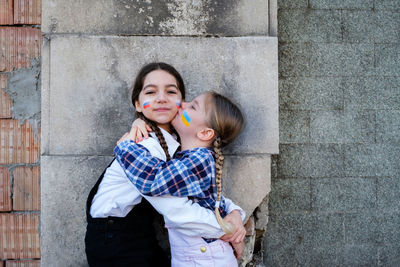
91	54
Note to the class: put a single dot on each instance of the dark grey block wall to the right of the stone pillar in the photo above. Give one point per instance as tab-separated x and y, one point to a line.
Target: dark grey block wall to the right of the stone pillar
335	196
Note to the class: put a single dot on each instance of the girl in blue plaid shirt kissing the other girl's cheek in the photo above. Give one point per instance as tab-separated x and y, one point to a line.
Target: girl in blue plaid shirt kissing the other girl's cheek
210	120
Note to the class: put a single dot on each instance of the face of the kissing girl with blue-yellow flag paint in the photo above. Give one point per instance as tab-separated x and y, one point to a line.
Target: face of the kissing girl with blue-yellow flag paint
192	117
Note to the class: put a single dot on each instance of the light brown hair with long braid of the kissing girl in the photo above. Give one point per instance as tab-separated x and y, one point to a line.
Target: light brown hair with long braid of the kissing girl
227	121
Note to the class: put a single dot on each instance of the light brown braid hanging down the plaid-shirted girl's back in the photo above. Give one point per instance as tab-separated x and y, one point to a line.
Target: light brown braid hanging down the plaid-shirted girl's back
219	163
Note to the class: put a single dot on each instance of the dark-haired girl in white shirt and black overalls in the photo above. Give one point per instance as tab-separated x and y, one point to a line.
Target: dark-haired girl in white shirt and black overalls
120	222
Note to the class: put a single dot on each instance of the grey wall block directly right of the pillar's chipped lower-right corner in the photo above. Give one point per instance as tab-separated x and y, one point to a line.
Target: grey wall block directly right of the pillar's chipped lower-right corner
288	195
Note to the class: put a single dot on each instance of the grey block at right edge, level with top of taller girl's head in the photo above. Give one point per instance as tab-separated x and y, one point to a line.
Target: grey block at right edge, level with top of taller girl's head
387	59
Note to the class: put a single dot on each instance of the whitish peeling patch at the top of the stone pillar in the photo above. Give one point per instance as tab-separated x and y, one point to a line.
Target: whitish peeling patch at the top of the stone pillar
189	17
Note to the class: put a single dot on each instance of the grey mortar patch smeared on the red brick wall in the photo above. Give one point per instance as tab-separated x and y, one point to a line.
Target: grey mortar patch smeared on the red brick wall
23	87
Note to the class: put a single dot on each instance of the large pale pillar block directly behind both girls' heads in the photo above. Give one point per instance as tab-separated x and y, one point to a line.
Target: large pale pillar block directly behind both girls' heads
99	71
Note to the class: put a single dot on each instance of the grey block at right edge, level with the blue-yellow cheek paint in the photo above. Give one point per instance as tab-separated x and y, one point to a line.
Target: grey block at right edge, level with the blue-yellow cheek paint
388	126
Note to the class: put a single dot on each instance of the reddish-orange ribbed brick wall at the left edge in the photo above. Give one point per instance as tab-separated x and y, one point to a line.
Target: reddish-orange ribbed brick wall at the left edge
20	42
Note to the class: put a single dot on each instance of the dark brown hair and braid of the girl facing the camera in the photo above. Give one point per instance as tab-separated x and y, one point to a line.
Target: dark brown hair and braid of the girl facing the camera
138	86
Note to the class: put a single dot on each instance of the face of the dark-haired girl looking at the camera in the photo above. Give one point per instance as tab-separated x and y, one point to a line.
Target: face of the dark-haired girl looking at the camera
159	98
